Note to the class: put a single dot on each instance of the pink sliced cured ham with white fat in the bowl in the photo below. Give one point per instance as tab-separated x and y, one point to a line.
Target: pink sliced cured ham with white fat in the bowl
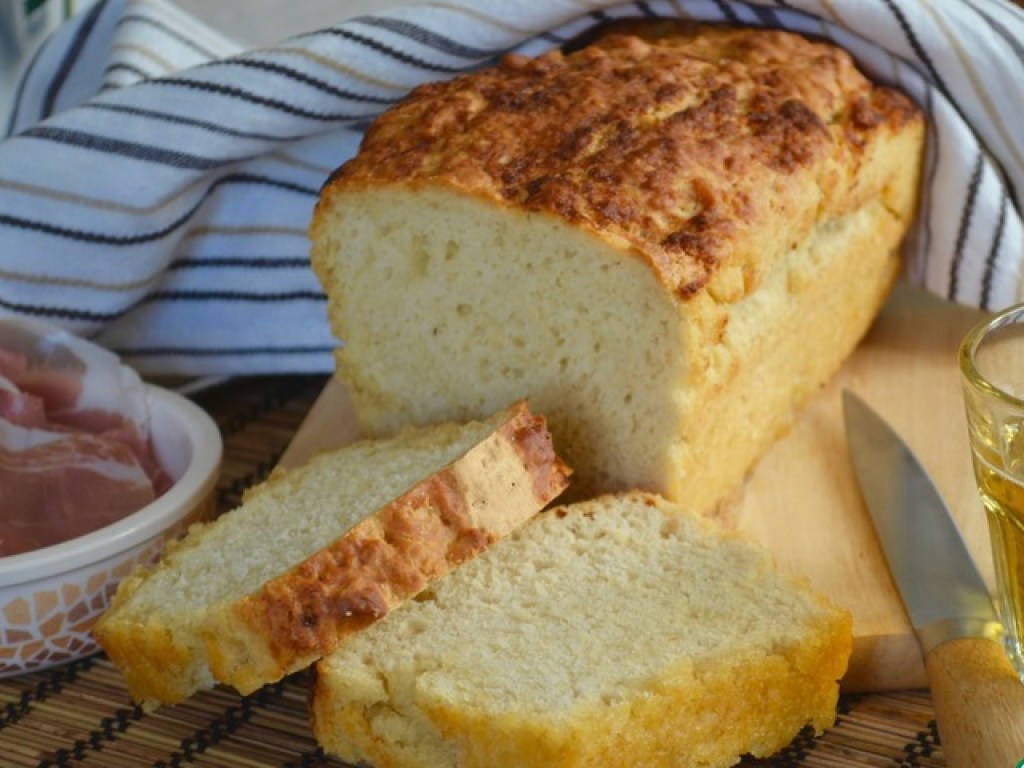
75	450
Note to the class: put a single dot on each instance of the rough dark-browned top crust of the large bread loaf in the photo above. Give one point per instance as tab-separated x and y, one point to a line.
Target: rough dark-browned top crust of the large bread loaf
682	148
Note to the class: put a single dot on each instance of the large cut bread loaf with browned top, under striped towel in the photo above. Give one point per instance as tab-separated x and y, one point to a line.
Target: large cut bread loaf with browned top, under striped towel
668	242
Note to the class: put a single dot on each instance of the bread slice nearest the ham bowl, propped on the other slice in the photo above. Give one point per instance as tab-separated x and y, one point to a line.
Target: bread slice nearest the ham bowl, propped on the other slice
318	553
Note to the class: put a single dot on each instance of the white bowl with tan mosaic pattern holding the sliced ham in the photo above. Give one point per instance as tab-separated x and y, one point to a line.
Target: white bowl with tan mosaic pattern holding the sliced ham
51	599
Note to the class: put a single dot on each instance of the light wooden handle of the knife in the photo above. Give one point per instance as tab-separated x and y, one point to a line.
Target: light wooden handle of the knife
979	704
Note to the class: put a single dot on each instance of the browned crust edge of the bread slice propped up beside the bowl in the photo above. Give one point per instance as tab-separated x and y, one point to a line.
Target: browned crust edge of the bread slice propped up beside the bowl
438	525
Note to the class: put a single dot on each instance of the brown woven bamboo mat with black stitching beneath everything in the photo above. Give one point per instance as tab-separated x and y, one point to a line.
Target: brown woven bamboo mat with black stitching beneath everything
81	714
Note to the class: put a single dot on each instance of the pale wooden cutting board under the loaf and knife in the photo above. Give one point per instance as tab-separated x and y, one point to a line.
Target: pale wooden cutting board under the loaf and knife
802	500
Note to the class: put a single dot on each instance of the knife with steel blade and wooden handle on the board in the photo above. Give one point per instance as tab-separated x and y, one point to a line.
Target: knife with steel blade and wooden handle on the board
978	698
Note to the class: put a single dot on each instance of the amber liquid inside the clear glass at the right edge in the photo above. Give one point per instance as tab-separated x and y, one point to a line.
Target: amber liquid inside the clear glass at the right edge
1003	495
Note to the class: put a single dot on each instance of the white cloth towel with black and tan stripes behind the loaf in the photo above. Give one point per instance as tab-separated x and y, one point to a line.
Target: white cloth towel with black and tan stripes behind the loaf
157	183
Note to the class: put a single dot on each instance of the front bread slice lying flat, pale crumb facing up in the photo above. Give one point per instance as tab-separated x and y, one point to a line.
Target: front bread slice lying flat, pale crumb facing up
616	632
